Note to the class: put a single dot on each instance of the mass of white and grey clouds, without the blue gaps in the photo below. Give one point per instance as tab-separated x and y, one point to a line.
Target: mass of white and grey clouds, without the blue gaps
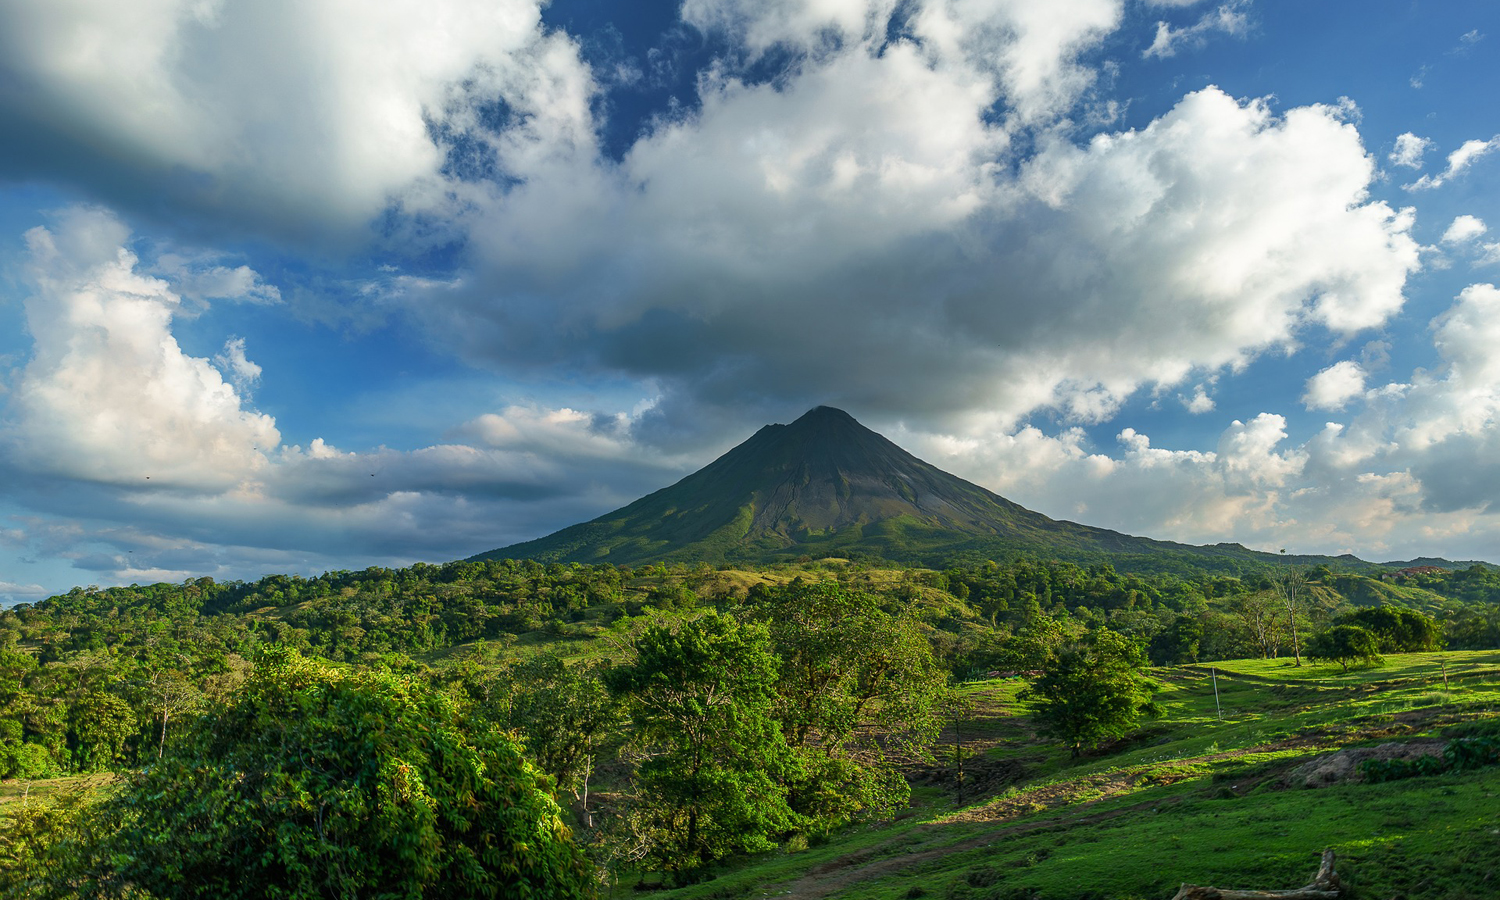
928	212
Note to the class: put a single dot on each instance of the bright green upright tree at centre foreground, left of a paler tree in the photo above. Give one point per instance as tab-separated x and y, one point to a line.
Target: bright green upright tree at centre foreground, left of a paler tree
701	695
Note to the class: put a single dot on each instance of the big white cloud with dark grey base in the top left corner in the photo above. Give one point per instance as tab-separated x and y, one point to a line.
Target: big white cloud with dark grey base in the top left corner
299	118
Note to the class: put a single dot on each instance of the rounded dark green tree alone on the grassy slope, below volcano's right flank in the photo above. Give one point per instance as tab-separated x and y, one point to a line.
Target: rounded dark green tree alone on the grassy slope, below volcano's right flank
1091	692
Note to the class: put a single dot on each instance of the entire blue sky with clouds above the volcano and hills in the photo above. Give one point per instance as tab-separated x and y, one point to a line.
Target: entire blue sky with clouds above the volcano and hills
323	284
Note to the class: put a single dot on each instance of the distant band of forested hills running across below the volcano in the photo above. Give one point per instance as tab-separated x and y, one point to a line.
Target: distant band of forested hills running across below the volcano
98	679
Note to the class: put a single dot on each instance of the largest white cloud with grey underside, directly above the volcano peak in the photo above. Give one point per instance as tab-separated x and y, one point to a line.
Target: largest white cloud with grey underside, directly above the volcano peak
860	200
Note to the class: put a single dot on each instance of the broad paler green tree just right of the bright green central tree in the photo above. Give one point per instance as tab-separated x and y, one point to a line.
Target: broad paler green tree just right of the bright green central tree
859	686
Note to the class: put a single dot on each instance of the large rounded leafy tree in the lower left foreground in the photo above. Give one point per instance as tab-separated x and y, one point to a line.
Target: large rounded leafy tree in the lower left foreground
326	784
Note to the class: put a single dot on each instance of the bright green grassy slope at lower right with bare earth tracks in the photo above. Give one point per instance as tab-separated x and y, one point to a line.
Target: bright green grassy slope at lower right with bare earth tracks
1195	797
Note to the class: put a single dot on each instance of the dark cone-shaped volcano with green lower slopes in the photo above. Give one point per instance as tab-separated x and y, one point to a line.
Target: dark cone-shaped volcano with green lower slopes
826	485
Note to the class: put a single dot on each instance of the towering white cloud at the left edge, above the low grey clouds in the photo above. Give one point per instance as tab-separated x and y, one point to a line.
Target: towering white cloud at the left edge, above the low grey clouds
109	395
